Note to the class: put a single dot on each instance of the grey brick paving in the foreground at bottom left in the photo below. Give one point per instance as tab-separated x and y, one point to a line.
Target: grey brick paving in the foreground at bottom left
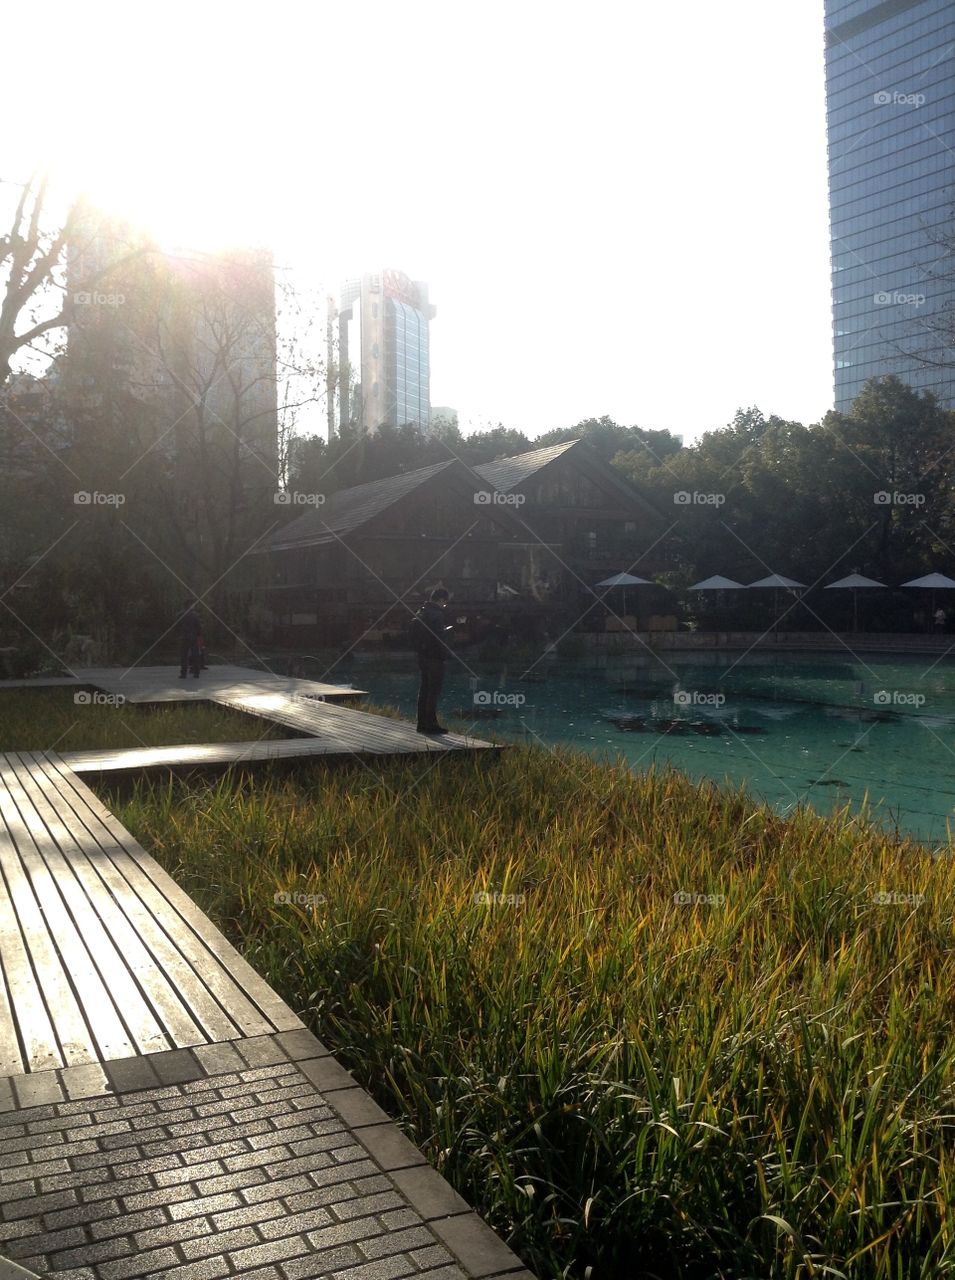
258	1159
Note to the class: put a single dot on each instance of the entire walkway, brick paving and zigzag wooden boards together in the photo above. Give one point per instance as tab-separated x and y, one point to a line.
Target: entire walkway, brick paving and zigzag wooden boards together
163	1113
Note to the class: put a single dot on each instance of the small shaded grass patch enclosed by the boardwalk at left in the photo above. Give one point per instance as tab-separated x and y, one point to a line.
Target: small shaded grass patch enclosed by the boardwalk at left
72	720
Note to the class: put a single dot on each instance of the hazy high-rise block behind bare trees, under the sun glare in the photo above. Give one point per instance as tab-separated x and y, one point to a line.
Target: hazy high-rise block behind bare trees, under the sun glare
171	374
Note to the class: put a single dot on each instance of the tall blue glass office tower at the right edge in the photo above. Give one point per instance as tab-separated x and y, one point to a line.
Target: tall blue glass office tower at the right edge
890	85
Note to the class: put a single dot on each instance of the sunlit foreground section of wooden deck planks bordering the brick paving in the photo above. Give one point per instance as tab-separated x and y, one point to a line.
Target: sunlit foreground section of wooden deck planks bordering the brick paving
102	954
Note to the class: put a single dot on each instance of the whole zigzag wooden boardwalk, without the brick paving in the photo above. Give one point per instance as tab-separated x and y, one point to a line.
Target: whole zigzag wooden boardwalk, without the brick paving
102	954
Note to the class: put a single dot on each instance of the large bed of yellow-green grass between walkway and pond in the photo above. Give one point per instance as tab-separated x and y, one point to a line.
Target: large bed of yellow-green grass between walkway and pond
753	1084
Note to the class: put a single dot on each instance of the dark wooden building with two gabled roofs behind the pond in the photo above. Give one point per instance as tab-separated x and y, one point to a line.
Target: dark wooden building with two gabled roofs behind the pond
520	545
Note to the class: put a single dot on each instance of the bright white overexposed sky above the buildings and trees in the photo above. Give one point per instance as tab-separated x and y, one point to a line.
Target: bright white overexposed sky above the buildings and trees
620	207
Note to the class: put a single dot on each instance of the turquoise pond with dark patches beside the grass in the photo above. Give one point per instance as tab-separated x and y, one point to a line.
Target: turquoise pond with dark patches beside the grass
823	730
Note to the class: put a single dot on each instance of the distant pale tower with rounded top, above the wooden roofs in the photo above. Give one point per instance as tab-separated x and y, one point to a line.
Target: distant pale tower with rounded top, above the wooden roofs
383	353
